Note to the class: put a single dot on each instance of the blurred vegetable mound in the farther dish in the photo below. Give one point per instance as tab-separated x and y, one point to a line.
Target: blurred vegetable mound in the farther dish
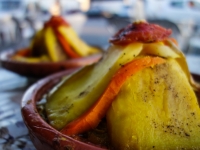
56	41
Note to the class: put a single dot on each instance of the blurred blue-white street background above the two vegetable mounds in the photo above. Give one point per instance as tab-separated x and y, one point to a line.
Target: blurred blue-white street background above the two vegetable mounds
97	20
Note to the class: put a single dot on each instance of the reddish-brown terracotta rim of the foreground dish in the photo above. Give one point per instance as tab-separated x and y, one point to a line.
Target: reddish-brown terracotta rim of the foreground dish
42	134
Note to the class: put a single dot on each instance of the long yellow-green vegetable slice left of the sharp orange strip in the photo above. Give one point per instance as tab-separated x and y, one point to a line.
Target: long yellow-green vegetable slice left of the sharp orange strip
76	94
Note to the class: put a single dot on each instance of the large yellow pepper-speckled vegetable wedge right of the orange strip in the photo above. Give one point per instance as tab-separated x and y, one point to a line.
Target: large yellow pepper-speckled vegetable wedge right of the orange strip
155	109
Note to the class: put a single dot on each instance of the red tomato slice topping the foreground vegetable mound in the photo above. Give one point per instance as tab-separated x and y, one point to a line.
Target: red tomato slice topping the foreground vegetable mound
140	32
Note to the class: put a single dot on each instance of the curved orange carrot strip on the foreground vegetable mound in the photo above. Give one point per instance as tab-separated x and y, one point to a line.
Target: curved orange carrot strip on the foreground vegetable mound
91	118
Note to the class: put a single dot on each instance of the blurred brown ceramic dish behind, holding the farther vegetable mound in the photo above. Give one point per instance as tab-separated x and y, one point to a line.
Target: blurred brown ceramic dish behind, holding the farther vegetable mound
43	69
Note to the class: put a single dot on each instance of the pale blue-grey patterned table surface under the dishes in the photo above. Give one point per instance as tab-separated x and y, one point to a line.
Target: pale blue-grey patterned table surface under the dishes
13	132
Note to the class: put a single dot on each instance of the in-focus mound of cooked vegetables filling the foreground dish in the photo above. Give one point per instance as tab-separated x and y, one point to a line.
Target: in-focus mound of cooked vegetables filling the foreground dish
139	96
